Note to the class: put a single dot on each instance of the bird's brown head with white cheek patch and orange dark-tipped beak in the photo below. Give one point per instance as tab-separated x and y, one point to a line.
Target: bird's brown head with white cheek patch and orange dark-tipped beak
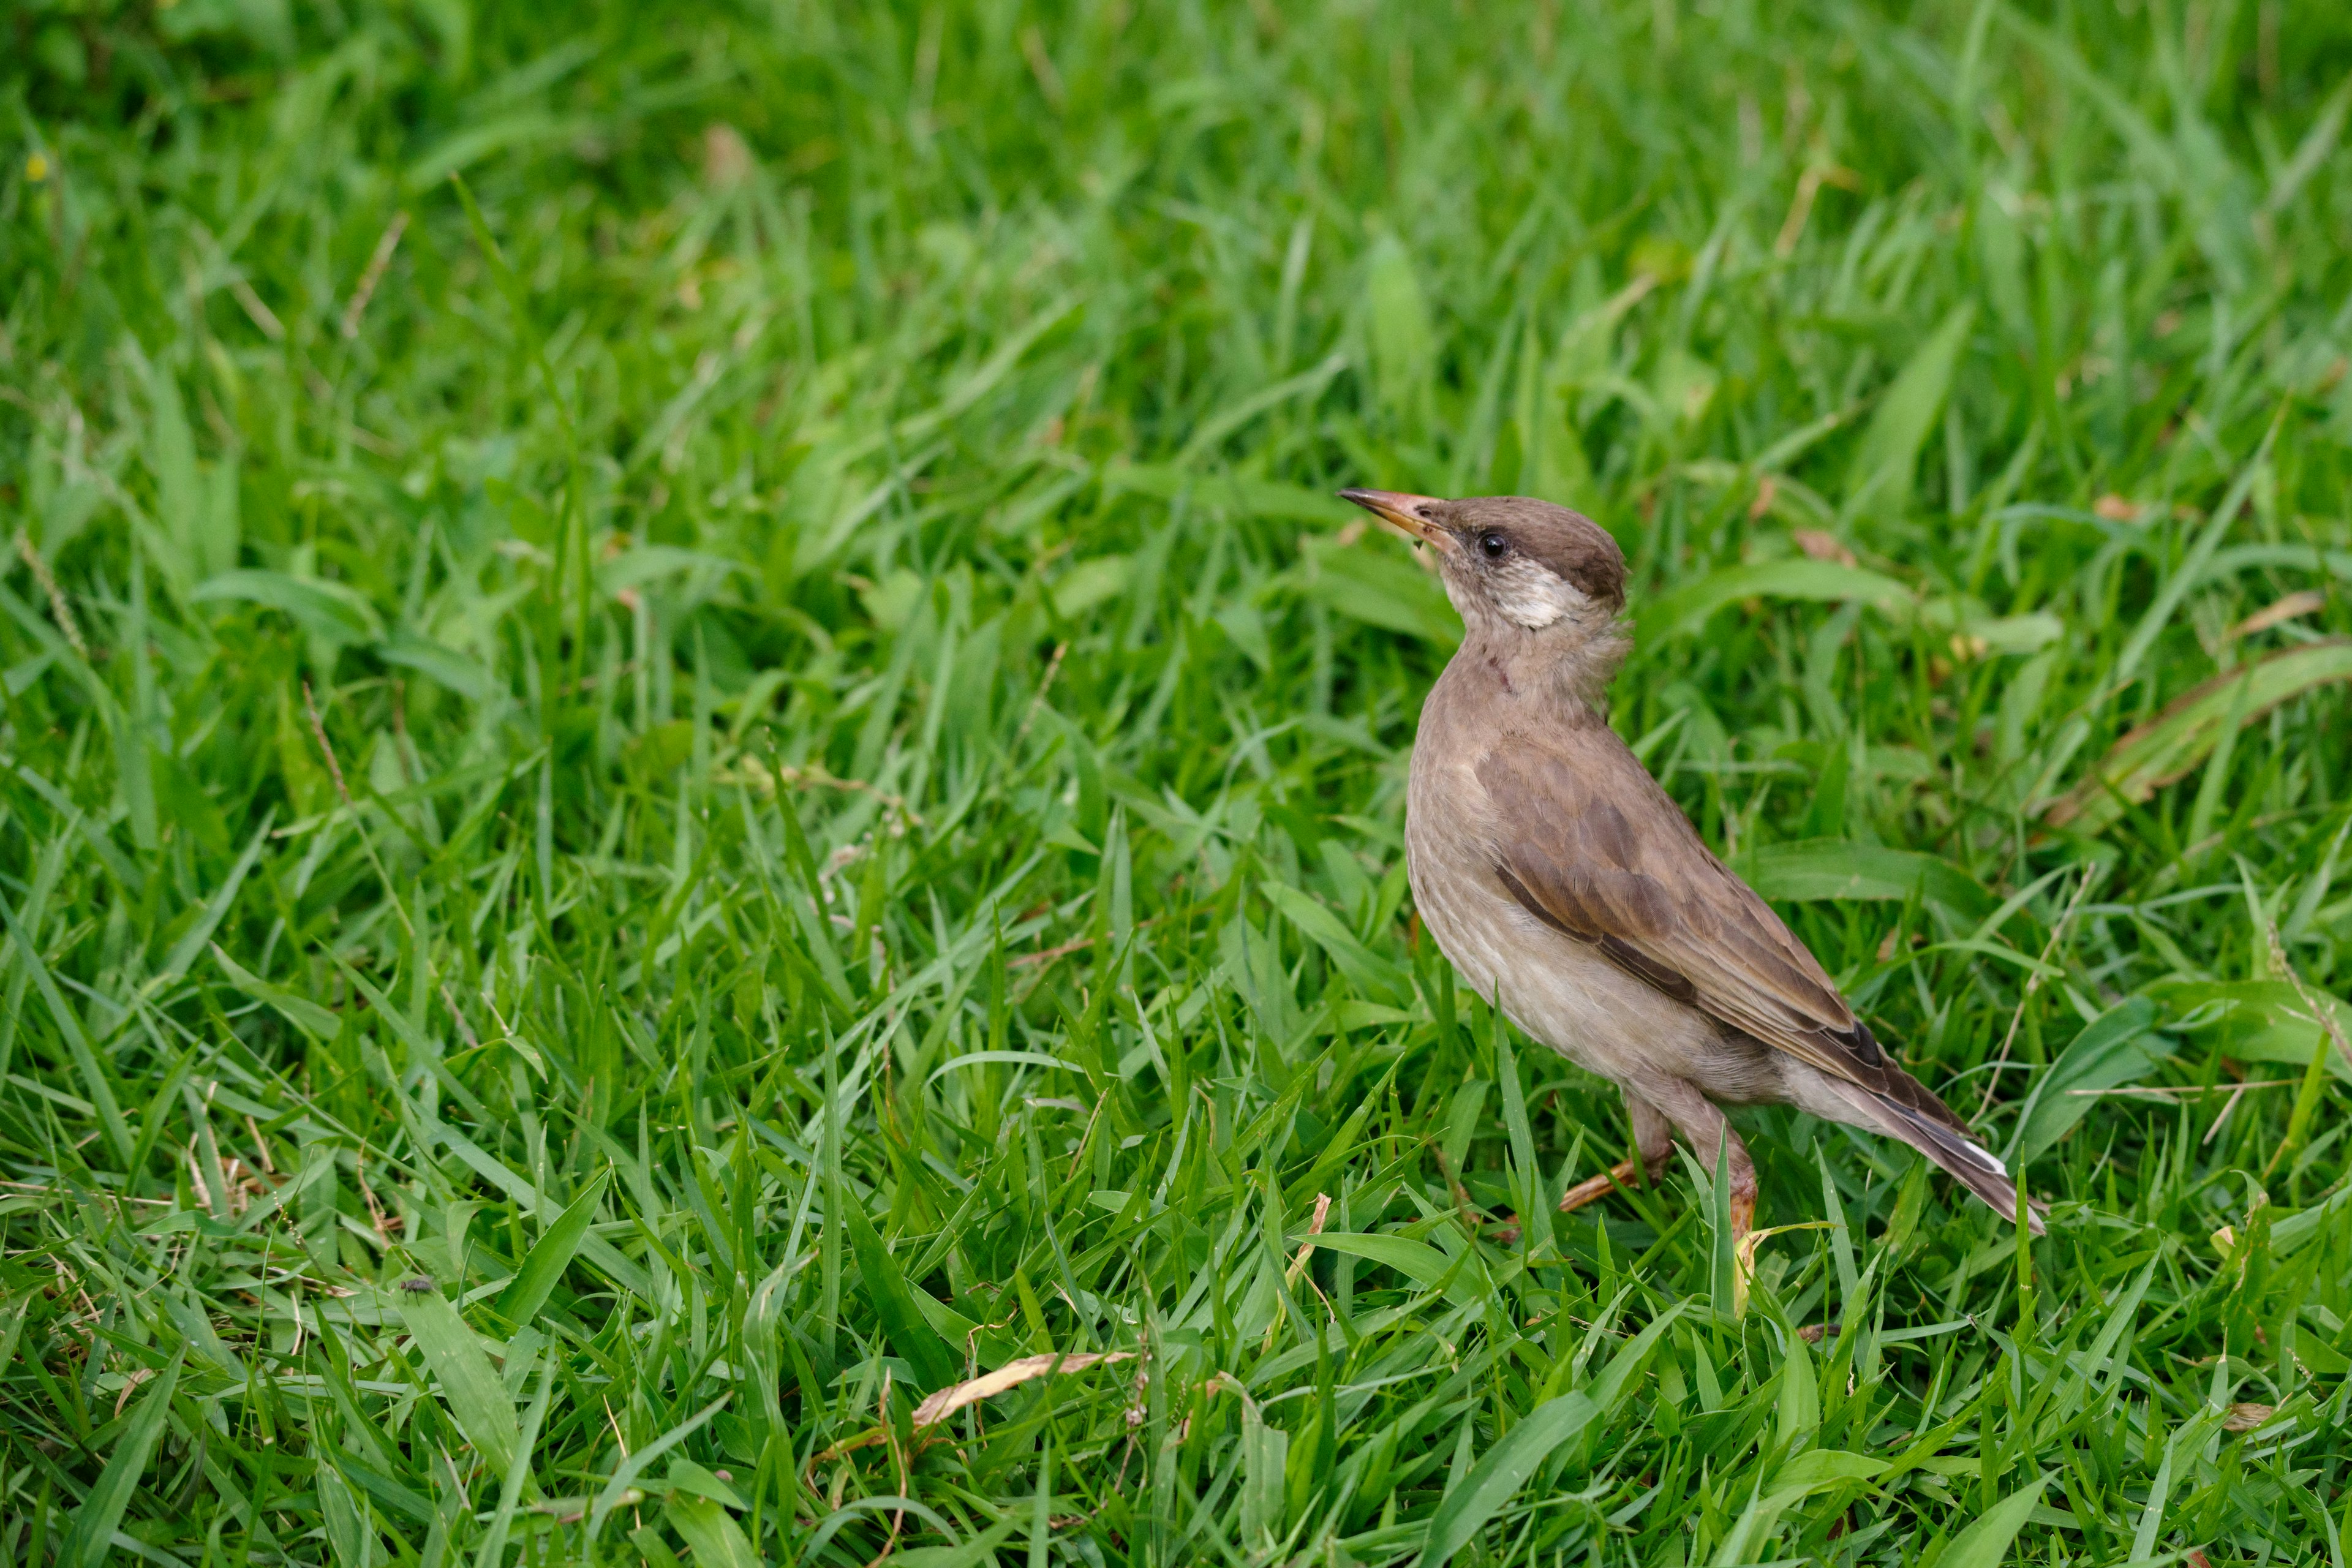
1516	568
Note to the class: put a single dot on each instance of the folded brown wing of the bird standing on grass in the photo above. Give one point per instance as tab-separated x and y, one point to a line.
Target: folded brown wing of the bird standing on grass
1593	847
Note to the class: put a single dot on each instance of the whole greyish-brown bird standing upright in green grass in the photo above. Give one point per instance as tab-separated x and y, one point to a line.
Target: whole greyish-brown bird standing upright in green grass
1565	885
